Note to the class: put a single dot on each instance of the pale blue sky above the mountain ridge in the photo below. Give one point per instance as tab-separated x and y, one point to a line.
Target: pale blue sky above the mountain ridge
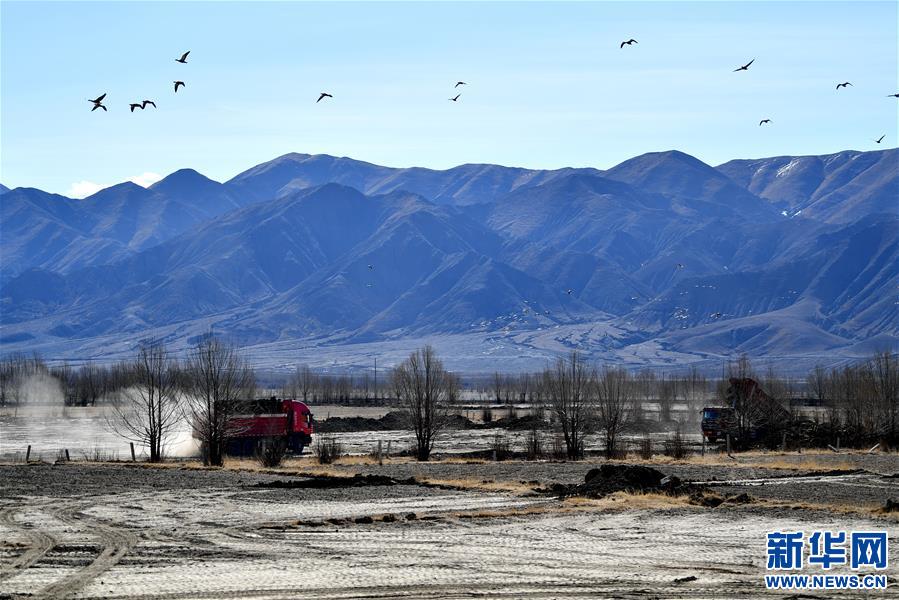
548	84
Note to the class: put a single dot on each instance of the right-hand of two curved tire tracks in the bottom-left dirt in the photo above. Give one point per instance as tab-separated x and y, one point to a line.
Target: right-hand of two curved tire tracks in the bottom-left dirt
116	543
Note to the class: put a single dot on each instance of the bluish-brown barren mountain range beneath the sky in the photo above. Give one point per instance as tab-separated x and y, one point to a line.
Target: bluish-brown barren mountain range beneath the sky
660	260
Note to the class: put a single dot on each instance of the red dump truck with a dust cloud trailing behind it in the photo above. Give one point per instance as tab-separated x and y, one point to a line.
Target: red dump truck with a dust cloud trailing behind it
255	423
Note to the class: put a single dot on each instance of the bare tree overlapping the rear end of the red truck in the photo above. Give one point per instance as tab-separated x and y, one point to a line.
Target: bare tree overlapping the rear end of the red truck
216	379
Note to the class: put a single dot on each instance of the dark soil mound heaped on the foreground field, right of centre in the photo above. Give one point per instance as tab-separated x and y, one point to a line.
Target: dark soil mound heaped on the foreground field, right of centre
609	479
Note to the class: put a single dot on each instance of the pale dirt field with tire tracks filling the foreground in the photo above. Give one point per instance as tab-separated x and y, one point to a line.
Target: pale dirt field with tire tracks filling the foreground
177	532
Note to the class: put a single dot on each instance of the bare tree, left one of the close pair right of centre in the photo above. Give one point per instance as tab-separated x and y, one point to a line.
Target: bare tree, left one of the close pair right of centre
569	390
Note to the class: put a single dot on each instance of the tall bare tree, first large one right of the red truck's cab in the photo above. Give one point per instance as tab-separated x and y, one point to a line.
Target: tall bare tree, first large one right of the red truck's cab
425	388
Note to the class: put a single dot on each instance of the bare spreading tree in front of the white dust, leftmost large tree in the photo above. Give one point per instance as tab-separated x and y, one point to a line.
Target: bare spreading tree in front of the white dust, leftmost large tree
149	412
